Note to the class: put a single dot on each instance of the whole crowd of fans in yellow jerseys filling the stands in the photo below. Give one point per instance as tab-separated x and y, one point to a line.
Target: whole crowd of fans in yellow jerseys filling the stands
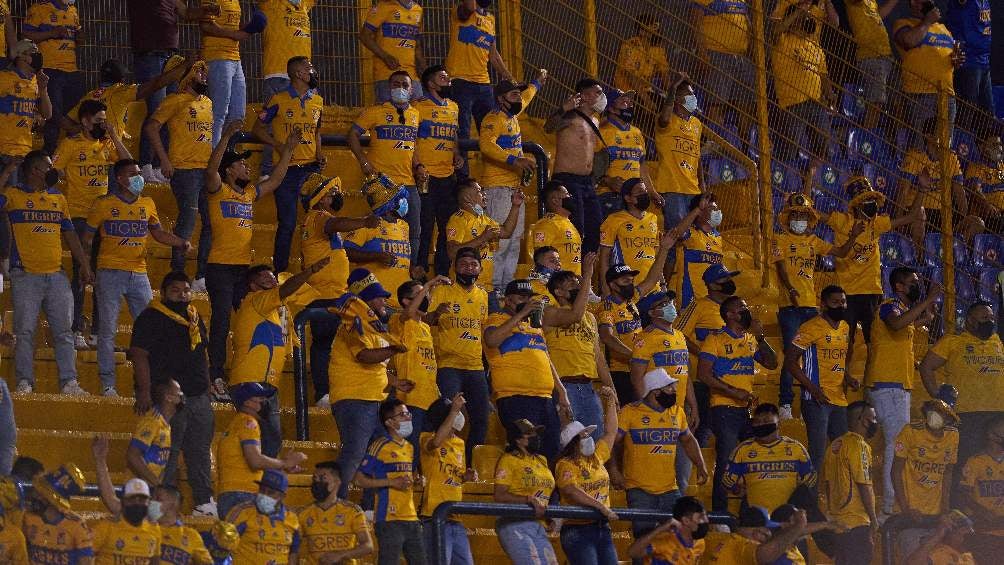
626	351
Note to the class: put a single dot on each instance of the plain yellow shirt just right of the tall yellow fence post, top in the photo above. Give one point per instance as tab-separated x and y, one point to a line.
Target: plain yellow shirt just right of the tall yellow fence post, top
800	66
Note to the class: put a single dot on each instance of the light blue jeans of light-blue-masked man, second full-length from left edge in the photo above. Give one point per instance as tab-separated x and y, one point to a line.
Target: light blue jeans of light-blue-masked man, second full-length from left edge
112	286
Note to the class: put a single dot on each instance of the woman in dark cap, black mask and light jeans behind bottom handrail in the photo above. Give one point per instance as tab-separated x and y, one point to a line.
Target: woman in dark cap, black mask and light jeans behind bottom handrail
523	477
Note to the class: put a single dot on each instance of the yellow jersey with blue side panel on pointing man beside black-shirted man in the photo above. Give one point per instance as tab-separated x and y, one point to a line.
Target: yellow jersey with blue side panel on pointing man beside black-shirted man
262	343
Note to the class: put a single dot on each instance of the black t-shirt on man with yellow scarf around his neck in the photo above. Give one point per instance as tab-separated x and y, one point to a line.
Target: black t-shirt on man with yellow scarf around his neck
171	354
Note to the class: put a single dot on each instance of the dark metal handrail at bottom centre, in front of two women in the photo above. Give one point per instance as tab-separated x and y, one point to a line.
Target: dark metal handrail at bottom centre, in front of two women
444	511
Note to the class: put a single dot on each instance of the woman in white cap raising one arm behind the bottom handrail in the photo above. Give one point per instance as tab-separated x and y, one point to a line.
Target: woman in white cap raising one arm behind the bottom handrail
584	481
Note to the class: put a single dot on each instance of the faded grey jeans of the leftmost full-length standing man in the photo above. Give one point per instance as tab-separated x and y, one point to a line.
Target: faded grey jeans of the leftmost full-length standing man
32	295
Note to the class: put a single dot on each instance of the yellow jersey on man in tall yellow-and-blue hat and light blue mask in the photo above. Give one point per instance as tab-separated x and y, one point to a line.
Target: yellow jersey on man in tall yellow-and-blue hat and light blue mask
389	237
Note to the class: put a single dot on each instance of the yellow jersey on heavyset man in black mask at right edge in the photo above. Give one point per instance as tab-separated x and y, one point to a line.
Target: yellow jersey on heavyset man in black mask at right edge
974	367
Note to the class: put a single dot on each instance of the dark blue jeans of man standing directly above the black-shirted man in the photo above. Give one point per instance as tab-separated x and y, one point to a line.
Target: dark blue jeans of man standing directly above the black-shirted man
189	187
